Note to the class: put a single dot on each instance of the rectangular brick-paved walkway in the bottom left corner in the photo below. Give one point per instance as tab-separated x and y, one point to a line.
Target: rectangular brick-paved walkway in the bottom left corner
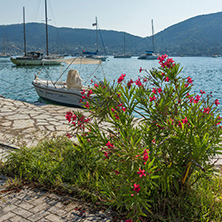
35	205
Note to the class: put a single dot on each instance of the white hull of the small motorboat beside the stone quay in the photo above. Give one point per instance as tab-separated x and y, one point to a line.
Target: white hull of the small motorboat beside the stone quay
61	95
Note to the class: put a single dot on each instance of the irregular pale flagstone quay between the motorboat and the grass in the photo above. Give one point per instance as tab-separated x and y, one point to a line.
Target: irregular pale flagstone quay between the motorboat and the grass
26	124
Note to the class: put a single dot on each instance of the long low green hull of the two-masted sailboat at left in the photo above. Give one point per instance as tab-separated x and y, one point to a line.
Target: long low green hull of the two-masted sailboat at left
33	62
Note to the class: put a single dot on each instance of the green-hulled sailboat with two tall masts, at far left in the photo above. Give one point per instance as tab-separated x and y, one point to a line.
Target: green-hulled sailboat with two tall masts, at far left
36	57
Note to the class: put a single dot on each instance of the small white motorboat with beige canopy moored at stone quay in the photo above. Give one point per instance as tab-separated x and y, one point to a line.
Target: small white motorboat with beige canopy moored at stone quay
64	93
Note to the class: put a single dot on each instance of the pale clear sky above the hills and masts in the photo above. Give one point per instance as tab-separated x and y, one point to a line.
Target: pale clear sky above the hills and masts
131	16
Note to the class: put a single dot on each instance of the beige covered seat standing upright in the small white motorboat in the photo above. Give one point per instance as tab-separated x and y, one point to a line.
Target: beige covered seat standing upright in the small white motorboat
74	80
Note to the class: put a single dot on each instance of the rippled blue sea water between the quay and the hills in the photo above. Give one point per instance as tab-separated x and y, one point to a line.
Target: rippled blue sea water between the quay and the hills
16	82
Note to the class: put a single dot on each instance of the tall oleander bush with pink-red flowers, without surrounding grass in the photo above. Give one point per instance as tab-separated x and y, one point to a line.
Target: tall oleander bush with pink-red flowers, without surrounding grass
161	153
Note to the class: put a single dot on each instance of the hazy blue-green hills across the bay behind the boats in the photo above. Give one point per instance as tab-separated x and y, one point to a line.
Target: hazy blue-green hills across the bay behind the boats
197	36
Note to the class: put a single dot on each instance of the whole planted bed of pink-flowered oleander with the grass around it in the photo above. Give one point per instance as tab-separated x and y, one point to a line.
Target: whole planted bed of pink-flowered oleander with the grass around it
145	149
